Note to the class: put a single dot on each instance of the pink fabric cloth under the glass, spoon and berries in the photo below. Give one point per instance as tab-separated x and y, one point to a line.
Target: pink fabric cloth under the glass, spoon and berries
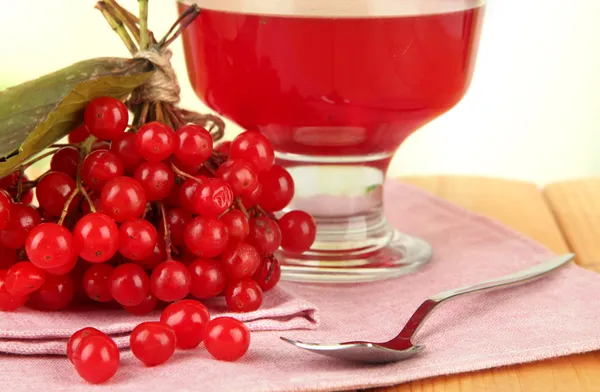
555	316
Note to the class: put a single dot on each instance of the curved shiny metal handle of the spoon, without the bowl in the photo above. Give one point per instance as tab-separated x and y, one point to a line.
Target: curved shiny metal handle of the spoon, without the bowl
514	279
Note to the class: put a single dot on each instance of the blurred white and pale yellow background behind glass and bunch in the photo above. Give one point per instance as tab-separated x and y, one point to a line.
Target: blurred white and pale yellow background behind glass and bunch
532	113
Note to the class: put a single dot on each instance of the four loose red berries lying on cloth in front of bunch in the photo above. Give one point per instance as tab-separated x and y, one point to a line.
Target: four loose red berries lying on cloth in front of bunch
183	324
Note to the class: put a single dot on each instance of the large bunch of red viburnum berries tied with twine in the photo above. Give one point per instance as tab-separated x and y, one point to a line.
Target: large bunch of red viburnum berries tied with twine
145	215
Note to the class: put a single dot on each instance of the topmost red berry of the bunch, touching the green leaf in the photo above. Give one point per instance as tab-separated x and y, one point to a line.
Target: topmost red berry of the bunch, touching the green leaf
106	118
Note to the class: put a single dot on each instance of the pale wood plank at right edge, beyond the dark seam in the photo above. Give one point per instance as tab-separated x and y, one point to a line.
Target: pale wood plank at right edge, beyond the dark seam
576	206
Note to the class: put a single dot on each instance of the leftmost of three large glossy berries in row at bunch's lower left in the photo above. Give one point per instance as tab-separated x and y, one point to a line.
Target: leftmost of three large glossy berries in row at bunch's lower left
49	245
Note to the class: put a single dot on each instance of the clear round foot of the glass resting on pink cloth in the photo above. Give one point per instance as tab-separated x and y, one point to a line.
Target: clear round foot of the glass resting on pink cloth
402	255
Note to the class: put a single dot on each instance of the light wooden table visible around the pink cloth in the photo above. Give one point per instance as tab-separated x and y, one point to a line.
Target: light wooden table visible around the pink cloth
563	216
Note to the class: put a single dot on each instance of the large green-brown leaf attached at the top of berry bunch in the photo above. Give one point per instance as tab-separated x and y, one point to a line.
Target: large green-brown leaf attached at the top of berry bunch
38	113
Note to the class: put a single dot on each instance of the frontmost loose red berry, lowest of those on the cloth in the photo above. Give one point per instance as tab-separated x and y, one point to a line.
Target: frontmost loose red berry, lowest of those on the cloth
96	358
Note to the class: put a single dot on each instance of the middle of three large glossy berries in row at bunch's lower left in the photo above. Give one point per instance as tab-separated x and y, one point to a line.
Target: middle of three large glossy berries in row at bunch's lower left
96	238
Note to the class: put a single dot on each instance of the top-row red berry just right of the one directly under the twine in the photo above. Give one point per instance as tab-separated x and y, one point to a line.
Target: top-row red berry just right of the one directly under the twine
193	145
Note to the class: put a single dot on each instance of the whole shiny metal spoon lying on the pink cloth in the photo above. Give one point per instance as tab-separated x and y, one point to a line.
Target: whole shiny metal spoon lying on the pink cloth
401	347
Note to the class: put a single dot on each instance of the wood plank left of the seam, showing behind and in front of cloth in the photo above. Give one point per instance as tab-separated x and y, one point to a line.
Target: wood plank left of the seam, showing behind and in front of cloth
522	207
